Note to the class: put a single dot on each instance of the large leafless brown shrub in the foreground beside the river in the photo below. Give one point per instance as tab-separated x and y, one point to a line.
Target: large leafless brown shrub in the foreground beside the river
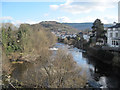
63	72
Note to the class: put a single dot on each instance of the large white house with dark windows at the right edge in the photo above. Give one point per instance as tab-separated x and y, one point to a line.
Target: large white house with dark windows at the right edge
113	36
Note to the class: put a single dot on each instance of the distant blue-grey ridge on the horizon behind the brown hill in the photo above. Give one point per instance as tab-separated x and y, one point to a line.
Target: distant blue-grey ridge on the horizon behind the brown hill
83	26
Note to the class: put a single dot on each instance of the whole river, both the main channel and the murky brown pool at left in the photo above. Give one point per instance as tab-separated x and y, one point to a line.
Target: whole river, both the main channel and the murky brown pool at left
98	74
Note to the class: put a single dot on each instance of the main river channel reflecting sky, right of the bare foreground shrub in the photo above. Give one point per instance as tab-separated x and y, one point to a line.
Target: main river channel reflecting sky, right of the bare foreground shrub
98	73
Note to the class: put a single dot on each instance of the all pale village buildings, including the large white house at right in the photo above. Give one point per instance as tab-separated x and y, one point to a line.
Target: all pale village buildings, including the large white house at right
112	34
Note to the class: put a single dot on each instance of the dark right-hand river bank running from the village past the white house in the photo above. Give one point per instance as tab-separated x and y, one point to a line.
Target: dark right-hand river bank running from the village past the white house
108	57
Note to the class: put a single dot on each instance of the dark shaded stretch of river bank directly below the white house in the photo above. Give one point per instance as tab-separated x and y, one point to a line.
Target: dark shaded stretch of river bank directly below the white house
107	57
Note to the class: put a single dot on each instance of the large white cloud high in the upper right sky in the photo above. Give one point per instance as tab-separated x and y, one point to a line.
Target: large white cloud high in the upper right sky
75	7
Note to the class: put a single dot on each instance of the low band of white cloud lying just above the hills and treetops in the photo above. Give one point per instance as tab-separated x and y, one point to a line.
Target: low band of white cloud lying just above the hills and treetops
106	19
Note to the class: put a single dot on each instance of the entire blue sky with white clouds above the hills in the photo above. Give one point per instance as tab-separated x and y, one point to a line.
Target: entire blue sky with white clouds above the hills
68	11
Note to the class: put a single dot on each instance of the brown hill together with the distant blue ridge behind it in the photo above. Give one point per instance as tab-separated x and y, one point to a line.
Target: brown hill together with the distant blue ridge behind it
69	27
